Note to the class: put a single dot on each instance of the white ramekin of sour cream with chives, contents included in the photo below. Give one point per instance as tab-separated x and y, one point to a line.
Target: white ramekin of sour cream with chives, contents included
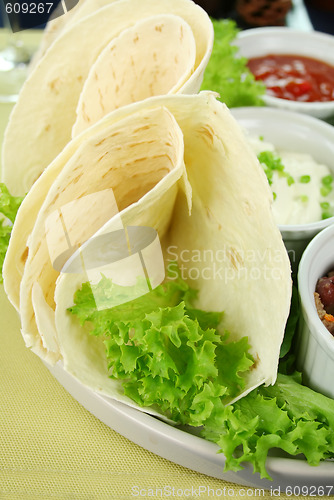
296	152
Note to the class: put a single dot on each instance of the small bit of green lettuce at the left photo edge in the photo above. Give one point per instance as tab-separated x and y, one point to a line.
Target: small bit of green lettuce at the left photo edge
9	206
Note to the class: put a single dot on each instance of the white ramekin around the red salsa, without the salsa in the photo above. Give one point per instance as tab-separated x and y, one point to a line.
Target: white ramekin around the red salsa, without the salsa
259	42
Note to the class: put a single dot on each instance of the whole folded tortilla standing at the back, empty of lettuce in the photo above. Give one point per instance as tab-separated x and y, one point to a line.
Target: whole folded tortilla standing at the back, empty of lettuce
50	95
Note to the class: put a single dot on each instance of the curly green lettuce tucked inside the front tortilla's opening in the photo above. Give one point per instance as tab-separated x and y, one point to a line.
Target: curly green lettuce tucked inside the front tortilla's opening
169	354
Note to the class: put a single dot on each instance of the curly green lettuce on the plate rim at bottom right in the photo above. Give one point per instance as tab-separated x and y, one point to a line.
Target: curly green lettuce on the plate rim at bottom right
287	415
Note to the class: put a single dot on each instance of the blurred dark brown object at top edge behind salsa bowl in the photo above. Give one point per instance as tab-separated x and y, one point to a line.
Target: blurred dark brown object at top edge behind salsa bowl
263	12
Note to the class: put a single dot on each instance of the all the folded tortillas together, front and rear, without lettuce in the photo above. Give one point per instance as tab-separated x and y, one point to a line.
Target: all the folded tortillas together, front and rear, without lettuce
100	146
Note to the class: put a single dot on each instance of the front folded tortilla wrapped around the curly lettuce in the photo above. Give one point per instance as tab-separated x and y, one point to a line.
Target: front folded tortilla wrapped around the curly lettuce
230	220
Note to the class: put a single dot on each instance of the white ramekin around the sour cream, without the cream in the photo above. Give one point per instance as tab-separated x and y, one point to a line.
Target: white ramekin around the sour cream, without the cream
299	133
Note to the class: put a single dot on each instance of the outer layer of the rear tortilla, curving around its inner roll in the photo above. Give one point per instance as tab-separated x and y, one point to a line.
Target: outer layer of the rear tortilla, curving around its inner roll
51	93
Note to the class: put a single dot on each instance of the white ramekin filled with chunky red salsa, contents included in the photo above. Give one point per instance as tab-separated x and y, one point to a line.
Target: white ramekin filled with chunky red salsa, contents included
296	67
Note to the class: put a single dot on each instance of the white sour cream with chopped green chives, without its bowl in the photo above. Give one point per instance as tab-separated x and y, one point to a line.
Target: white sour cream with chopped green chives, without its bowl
300	202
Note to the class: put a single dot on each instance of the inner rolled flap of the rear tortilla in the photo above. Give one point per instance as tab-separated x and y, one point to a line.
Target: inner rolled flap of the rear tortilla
113	79
